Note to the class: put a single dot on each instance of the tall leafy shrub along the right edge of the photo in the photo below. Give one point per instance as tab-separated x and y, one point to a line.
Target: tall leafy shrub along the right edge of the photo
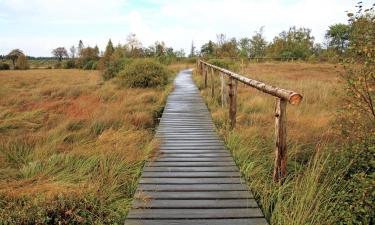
357	200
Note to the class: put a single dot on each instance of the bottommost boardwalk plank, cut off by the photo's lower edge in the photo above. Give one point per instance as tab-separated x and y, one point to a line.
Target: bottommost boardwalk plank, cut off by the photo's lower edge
247	221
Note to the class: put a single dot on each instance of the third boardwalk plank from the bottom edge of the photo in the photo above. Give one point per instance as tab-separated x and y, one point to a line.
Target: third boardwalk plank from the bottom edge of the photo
193	204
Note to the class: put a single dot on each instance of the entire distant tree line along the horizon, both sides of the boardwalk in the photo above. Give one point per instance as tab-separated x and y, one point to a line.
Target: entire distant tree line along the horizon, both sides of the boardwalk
294	43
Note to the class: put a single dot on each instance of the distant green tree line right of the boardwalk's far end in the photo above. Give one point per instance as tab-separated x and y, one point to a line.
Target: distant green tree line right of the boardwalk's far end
296	43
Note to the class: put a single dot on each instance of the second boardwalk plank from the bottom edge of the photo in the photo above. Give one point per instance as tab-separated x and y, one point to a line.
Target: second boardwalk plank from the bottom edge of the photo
195	213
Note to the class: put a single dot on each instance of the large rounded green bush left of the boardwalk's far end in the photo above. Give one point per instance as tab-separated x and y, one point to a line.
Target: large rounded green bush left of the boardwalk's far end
143	74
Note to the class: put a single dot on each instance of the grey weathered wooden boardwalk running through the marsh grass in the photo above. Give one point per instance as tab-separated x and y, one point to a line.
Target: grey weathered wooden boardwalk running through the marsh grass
194	180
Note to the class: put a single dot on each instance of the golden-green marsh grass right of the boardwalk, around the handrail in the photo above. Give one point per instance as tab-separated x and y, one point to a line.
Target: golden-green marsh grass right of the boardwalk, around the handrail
306	195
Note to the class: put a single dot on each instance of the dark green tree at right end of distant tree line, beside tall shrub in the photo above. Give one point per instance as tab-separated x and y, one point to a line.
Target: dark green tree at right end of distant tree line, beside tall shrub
338	36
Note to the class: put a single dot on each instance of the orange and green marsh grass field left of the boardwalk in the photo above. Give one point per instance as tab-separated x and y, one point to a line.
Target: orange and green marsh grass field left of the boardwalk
72	147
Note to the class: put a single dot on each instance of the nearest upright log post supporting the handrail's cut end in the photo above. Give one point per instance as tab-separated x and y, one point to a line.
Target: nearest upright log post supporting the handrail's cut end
279	171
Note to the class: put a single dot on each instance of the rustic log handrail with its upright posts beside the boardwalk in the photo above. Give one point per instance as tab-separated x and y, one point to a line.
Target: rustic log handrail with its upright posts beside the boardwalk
283	96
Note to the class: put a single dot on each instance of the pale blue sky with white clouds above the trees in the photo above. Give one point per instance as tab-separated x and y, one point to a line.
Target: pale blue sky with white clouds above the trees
38	26
